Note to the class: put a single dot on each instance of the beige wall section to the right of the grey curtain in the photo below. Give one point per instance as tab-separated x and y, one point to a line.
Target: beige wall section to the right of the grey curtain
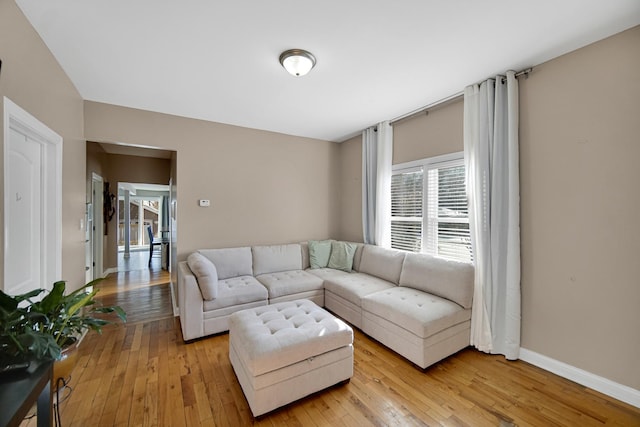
580	144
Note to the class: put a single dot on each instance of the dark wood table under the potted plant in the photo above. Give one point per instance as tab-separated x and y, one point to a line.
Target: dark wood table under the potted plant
21	389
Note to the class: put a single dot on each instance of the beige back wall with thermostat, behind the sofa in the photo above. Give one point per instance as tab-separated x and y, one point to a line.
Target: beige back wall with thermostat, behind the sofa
264	187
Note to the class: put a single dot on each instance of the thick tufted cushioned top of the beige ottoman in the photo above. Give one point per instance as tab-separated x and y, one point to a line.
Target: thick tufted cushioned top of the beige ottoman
274	336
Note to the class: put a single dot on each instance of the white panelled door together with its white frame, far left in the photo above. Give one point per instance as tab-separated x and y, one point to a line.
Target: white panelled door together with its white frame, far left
32	202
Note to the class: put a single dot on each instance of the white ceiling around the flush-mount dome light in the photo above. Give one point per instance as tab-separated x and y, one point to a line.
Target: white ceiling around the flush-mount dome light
218	60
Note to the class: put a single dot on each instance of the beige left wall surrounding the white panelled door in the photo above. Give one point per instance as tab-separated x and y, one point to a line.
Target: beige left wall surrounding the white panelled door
32	78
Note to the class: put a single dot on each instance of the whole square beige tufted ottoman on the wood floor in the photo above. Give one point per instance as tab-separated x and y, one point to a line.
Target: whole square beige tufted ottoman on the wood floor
285	351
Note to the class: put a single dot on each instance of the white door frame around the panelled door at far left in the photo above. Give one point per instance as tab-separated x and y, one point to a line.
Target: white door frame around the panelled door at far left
21	121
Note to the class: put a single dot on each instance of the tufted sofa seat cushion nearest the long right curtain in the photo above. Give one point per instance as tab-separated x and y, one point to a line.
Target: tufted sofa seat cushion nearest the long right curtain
421	313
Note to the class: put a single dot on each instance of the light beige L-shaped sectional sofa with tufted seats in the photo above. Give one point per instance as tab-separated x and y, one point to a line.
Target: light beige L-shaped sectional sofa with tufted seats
415	304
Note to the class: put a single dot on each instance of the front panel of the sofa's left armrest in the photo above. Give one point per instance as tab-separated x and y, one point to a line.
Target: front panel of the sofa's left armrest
190	303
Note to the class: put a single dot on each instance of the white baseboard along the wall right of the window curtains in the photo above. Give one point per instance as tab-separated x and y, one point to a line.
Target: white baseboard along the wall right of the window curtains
595	382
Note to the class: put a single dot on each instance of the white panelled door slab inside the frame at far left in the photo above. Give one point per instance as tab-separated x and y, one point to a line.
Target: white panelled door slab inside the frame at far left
24	213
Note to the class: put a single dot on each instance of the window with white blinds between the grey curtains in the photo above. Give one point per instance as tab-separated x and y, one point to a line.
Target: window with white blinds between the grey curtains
429	210
